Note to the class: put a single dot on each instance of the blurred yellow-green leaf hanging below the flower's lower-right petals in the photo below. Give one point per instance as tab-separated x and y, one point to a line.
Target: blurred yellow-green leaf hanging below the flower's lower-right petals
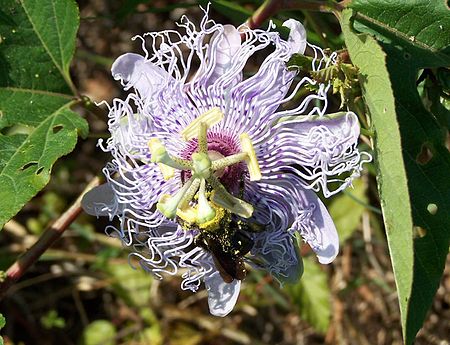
312	296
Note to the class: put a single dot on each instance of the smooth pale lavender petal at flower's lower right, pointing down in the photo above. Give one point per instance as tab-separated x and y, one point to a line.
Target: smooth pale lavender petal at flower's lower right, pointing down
326	245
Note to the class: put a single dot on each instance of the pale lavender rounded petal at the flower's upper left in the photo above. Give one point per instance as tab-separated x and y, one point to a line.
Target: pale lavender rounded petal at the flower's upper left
133	70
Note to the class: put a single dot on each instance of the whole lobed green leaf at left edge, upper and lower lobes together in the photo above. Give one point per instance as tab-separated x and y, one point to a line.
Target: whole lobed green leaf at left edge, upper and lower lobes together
37	42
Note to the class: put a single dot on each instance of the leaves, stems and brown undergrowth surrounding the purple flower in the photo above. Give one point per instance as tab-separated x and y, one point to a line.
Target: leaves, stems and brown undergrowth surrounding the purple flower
82	290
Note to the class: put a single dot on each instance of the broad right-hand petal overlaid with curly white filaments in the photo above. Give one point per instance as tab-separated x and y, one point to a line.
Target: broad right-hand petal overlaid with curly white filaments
325	147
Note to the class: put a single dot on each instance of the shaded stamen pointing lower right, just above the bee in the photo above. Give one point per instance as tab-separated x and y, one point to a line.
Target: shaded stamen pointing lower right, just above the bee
224	199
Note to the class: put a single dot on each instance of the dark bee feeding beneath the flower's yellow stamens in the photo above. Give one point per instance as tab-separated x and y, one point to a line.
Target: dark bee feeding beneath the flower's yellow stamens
228	246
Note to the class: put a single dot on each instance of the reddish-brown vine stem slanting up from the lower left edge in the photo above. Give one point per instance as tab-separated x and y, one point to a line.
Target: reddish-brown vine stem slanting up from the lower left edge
50	235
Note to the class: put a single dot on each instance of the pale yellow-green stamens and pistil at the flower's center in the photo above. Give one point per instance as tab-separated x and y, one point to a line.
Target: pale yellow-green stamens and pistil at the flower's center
203	198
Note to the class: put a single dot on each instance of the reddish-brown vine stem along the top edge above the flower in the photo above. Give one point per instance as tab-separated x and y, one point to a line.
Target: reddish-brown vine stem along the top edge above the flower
270	7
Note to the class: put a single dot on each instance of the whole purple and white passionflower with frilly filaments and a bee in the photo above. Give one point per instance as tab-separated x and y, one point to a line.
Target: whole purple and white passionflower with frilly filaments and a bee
213	169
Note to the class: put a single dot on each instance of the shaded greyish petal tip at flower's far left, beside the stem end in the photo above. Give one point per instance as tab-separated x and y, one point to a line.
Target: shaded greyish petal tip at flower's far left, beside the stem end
100	201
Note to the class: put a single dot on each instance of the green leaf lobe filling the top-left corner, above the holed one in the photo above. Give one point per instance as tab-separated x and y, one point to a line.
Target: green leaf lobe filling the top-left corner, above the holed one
38	42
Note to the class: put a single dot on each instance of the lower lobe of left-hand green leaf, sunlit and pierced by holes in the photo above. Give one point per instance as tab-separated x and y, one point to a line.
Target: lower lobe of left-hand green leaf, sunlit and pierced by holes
26	160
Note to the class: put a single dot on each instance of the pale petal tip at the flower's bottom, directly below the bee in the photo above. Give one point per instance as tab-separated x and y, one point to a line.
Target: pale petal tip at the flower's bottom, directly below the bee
221	296
